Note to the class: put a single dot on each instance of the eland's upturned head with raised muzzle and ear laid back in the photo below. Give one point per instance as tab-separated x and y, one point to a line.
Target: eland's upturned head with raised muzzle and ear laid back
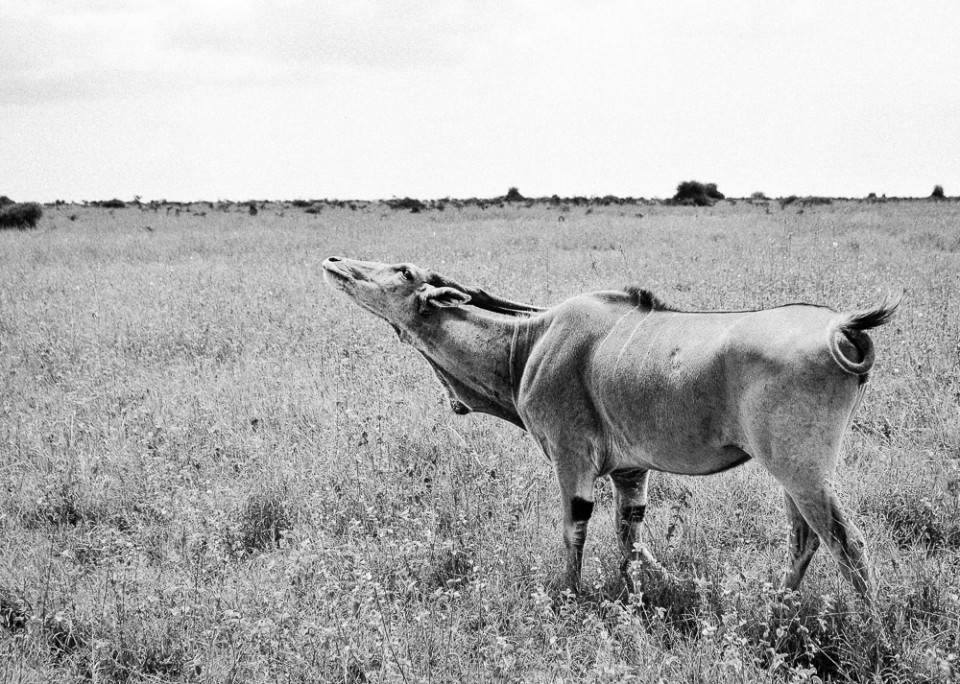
401	294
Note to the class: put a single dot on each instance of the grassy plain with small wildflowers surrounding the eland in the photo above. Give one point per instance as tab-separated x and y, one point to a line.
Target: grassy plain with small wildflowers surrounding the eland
214	468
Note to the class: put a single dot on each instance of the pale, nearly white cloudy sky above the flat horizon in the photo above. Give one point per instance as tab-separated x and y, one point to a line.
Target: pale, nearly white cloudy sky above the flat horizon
206	99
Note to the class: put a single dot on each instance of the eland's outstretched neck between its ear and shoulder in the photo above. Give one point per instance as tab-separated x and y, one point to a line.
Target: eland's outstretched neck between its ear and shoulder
479	357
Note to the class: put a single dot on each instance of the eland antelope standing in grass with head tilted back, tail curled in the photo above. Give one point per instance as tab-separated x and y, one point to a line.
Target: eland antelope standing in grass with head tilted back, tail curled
618	384
